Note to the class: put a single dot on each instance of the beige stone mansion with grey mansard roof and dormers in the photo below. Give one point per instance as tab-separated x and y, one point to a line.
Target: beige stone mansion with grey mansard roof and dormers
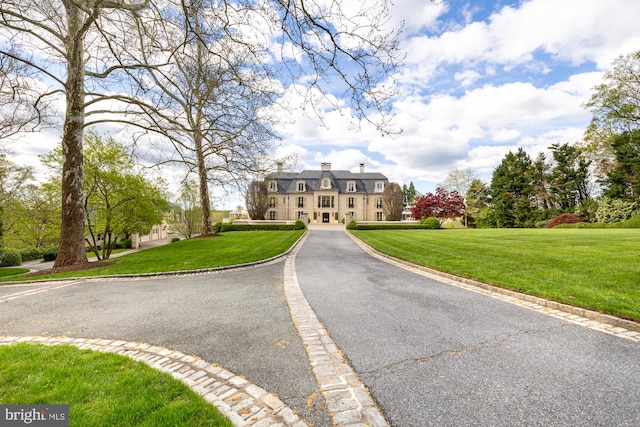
325	196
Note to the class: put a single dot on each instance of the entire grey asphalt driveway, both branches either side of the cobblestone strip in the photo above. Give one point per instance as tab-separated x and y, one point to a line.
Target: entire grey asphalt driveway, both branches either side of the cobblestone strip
429	353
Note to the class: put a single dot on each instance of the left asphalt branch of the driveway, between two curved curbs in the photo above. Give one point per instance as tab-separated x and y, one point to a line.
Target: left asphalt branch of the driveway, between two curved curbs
239	319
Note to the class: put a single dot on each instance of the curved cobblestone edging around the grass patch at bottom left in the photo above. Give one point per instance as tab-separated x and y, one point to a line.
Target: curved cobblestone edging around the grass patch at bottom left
244	403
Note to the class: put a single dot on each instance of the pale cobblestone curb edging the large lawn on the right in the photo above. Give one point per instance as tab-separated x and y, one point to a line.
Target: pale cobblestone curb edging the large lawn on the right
608	324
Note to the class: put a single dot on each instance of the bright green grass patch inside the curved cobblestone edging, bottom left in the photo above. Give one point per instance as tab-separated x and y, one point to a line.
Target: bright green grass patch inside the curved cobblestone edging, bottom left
101	389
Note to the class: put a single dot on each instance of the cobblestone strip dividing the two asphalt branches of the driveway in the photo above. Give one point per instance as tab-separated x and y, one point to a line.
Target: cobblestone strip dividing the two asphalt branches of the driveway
348	400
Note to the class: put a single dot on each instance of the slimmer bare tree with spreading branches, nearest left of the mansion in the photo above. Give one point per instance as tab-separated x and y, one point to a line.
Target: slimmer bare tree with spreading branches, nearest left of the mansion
211	99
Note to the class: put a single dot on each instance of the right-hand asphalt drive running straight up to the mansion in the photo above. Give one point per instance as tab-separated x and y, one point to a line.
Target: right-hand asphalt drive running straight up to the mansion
434	354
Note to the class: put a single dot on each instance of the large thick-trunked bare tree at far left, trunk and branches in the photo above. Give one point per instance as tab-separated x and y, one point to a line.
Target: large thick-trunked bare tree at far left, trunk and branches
75	47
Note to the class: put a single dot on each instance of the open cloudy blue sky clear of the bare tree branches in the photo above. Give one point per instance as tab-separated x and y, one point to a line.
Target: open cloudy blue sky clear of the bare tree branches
480	78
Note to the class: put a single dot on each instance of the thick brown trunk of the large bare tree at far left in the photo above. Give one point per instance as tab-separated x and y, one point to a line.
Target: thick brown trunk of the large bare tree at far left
72	250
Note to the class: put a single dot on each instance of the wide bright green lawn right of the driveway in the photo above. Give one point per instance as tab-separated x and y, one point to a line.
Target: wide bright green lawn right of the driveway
597	269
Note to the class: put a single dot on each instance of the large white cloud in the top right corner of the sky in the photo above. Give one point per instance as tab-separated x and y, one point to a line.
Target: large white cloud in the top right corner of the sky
573	31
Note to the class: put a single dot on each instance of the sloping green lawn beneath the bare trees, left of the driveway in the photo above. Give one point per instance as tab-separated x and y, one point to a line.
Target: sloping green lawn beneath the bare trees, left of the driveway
227	249
